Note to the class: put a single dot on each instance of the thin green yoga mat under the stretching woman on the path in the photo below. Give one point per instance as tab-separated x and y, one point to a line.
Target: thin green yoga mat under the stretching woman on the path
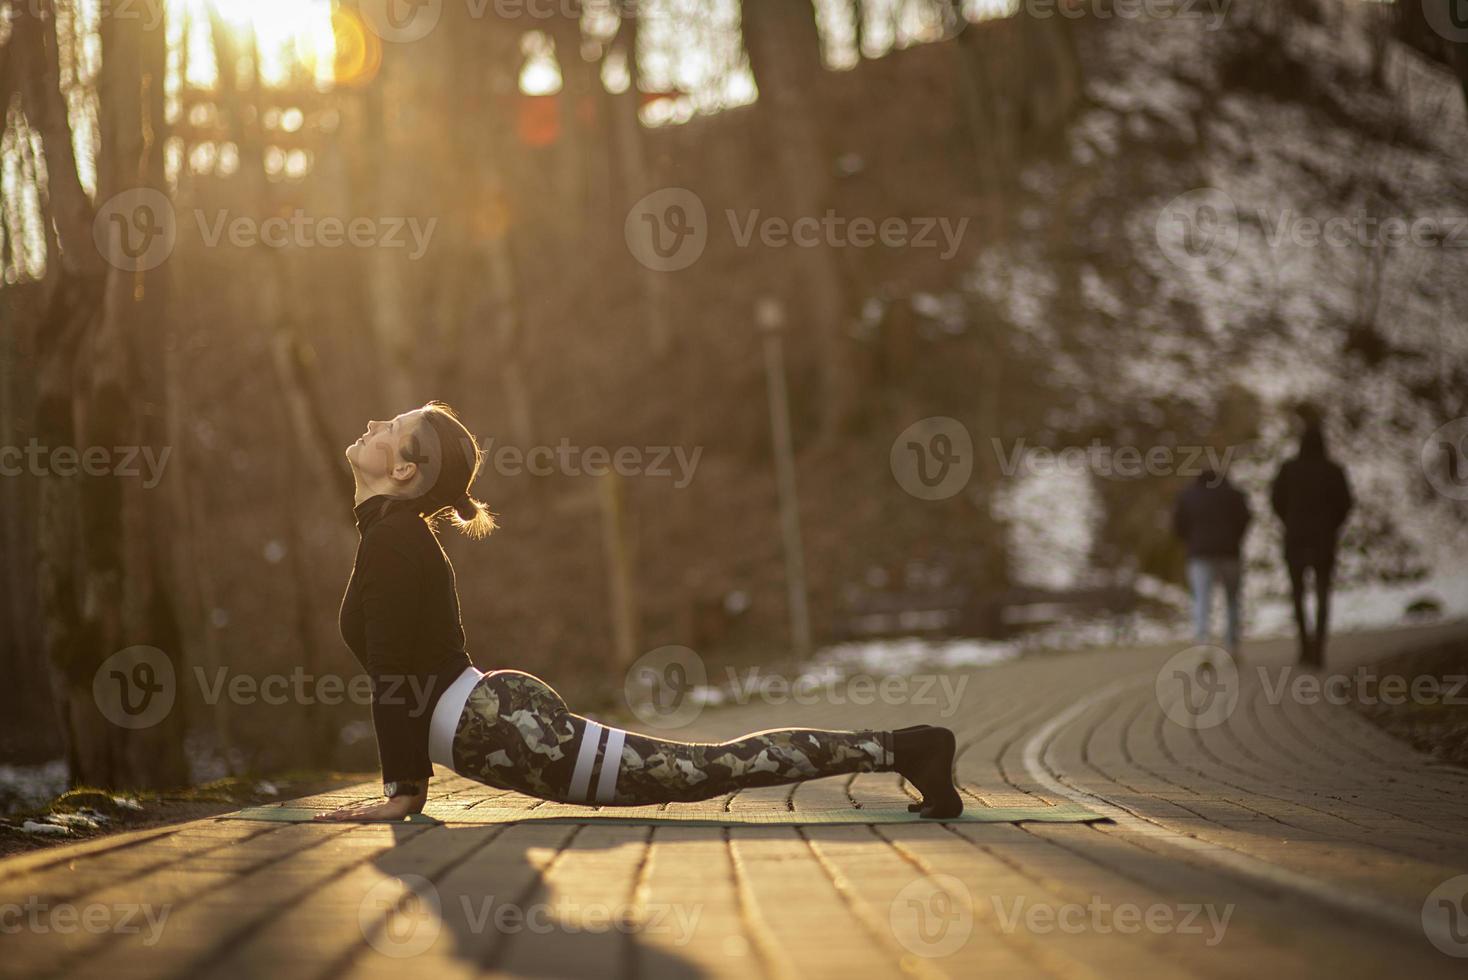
1064	813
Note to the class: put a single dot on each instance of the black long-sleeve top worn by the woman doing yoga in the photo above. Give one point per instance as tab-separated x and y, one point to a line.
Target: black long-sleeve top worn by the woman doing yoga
401	620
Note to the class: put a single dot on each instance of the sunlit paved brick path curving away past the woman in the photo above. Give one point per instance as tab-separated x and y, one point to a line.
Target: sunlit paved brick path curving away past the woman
1288	840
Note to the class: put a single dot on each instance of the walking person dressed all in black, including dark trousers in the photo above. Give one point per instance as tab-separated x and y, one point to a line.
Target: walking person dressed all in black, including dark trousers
1313	498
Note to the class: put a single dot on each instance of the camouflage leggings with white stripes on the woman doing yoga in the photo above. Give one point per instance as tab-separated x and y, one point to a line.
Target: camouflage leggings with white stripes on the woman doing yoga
517	734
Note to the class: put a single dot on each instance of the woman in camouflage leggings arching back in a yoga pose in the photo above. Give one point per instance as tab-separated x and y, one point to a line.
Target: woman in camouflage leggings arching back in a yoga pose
512	730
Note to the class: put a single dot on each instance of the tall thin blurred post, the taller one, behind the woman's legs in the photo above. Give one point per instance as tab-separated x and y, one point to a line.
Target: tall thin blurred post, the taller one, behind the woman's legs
770	315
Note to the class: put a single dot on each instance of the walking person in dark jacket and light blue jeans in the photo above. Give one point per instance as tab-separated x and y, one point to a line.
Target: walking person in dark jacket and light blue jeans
1212	517
